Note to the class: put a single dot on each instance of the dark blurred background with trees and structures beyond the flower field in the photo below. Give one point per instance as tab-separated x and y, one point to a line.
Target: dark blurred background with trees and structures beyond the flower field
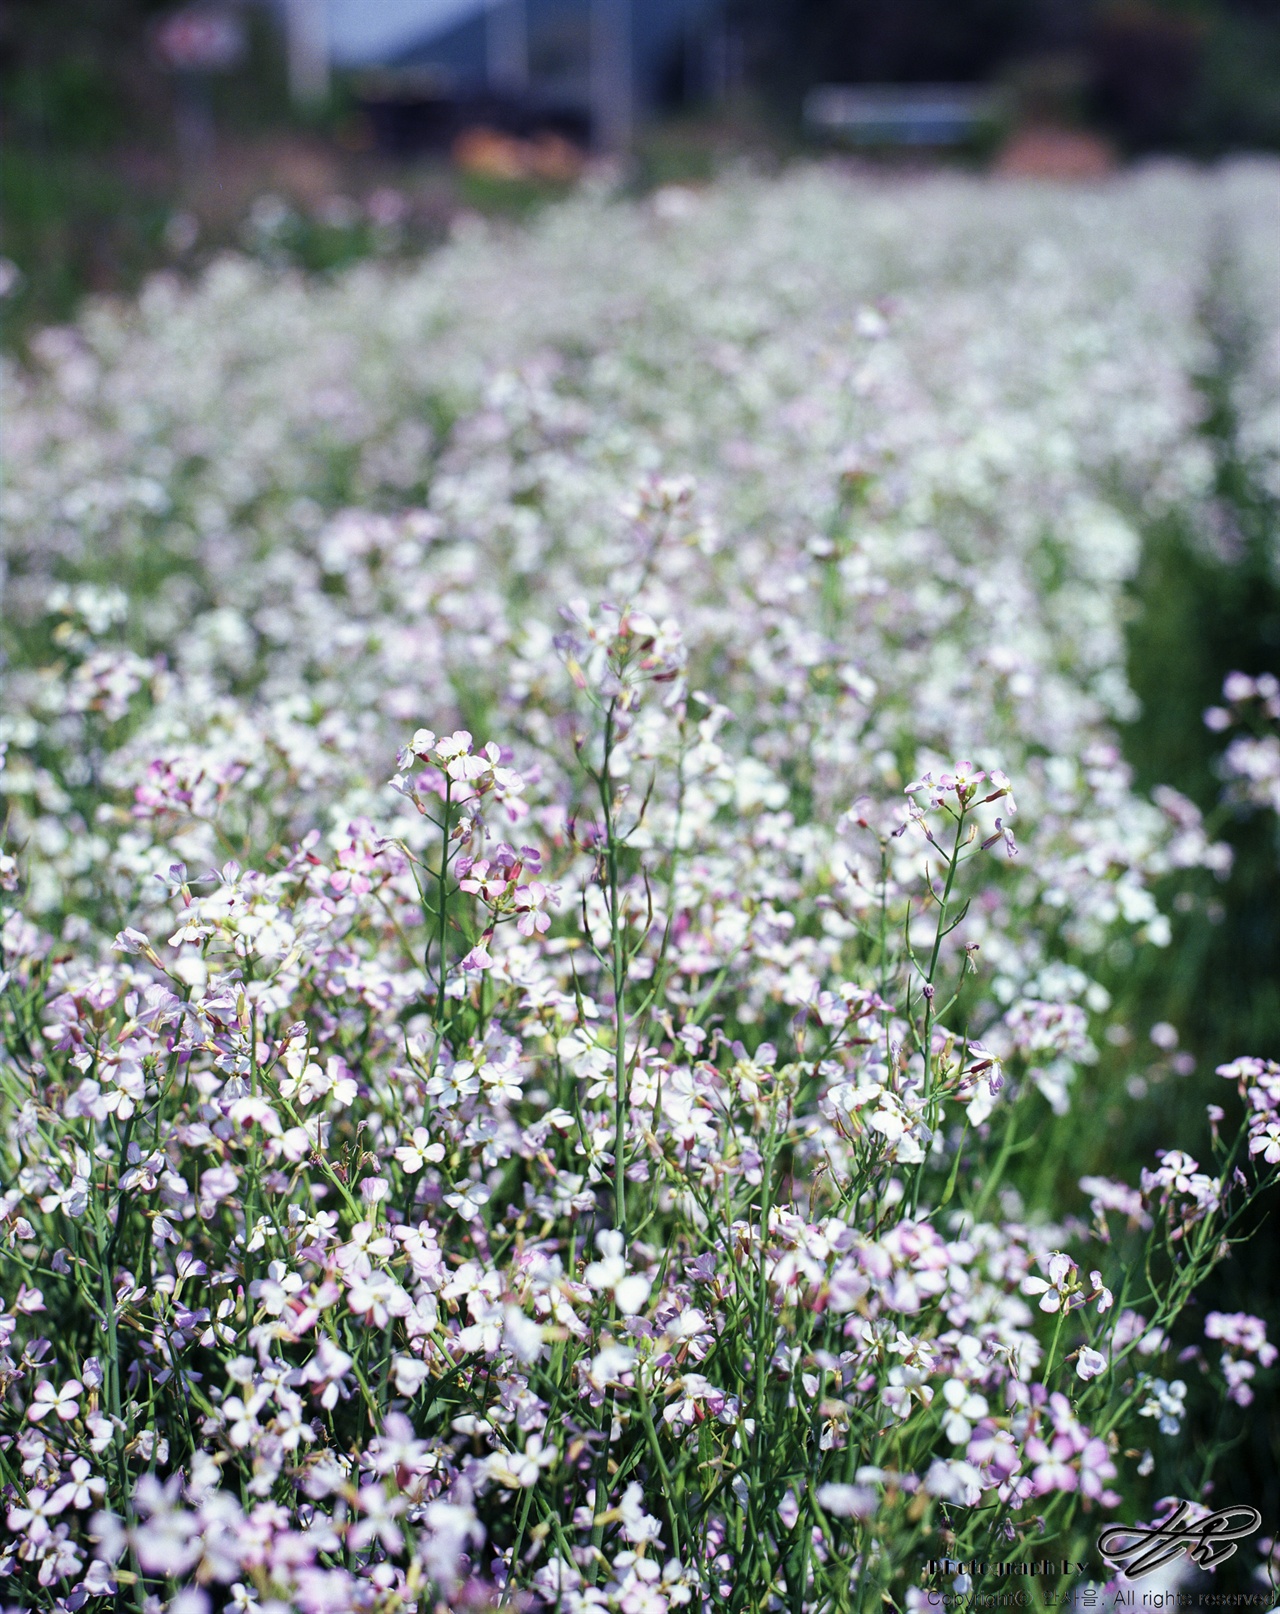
140	135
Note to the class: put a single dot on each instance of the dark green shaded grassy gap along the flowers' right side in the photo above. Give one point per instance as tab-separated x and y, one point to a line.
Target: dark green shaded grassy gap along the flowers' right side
1207	604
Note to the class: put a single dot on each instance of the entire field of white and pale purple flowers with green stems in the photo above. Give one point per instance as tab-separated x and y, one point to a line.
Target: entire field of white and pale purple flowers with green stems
564	834
